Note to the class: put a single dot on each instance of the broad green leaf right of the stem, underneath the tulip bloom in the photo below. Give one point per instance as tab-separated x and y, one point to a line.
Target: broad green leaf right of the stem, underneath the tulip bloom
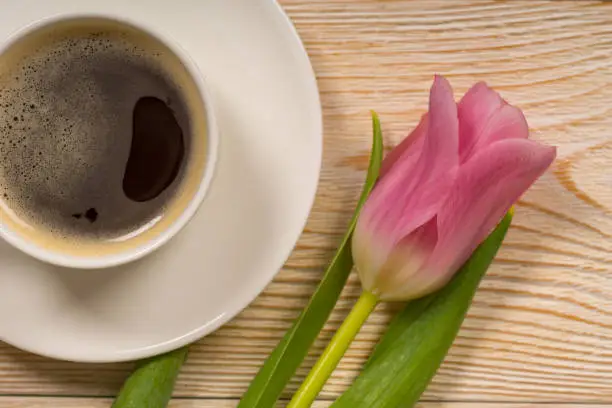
418	339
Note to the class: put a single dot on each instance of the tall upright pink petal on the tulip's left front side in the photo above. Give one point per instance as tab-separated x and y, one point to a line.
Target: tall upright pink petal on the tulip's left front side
412	191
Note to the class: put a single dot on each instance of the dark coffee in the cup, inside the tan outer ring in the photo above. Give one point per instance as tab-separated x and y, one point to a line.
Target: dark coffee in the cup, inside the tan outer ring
93	133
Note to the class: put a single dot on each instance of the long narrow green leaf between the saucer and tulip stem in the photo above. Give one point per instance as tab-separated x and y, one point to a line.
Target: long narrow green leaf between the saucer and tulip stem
281	365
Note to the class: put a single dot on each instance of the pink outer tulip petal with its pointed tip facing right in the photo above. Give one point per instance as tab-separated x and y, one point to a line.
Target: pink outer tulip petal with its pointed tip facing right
486	187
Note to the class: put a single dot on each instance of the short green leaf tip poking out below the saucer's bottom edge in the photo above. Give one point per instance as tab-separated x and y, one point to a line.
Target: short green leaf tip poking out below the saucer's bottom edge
152	382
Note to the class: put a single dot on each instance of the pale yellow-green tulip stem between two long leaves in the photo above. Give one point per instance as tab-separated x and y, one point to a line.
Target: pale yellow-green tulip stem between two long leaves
336	348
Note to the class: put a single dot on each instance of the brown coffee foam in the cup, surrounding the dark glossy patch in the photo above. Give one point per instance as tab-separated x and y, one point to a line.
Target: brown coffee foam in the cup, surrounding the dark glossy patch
64	148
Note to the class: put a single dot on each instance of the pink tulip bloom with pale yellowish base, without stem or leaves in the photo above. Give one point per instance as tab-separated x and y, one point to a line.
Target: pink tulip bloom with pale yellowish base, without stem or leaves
442	190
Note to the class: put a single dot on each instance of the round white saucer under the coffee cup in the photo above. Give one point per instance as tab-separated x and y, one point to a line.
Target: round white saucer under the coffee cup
269	162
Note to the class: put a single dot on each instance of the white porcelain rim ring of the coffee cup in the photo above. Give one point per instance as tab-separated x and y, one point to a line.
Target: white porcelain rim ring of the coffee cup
212	141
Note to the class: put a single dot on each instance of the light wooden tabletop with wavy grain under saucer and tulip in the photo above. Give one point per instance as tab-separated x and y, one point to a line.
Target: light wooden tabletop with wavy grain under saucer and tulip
540	329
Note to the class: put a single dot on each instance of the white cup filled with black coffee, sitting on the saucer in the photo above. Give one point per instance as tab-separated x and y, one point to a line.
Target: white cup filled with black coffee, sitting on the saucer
108	140
